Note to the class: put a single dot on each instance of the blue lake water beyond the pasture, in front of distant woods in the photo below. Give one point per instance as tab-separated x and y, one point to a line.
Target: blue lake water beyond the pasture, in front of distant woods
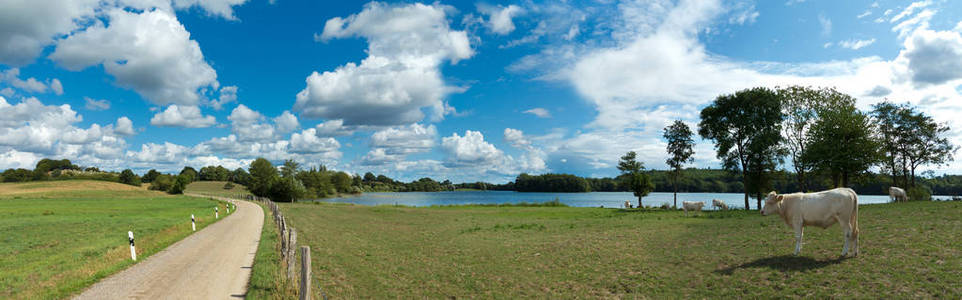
596	199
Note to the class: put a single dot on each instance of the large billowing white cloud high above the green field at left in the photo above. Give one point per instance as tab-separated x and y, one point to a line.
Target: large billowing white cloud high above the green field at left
150	52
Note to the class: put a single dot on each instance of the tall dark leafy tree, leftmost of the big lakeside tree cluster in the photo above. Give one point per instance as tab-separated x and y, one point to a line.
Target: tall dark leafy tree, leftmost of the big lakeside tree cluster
746	129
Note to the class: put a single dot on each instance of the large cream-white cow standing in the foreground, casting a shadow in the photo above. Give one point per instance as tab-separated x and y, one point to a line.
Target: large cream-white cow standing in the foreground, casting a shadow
822	209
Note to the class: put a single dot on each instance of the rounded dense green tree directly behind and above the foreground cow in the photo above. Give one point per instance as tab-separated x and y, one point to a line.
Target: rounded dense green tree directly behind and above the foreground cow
841	143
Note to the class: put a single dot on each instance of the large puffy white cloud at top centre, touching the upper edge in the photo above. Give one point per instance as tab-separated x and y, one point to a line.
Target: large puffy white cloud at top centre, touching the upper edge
400	76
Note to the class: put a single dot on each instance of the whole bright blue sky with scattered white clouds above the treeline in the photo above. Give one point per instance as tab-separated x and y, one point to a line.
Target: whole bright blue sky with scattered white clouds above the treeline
459	90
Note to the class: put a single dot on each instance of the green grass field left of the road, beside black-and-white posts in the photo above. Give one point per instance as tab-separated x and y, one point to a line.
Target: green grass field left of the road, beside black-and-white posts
59	237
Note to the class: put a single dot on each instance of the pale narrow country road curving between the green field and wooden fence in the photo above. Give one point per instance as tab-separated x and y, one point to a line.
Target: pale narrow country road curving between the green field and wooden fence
213	263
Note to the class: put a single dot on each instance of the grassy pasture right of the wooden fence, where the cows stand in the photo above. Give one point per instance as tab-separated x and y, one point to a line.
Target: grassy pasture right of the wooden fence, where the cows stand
908	250
